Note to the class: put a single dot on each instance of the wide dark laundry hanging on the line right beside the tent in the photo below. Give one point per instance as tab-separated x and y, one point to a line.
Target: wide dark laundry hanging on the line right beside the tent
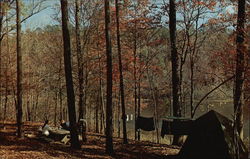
175	128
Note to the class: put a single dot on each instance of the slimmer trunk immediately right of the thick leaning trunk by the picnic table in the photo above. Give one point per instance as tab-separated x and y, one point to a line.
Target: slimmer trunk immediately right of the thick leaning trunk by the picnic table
82	115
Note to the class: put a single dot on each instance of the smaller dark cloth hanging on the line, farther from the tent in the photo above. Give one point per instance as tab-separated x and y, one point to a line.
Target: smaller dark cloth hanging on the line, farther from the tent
146	124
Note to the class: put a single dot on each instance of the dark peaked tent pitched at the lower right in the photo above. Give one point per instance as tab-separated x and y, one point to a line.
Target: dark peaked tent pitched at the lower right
212	137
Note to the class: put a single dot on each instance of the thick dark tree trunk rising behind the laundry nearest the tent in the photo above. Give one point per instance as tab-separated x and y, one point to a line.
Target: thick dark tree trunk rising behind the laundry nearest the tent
175	66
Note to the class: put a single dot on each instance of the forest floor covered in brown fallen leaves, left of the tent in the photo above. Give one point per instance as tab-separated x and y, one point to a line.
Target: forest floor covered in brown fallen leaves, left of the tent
33	148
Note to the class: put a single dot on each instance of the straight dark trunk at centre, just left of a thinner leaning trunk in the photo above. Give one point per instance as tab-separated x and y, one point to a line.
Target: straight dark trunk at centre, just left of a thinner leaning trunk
109	109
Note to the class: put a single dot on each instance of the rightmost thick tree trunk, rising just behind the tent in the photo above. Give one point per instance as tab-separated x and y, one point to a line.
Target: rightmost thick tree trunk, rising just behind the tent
239	72
